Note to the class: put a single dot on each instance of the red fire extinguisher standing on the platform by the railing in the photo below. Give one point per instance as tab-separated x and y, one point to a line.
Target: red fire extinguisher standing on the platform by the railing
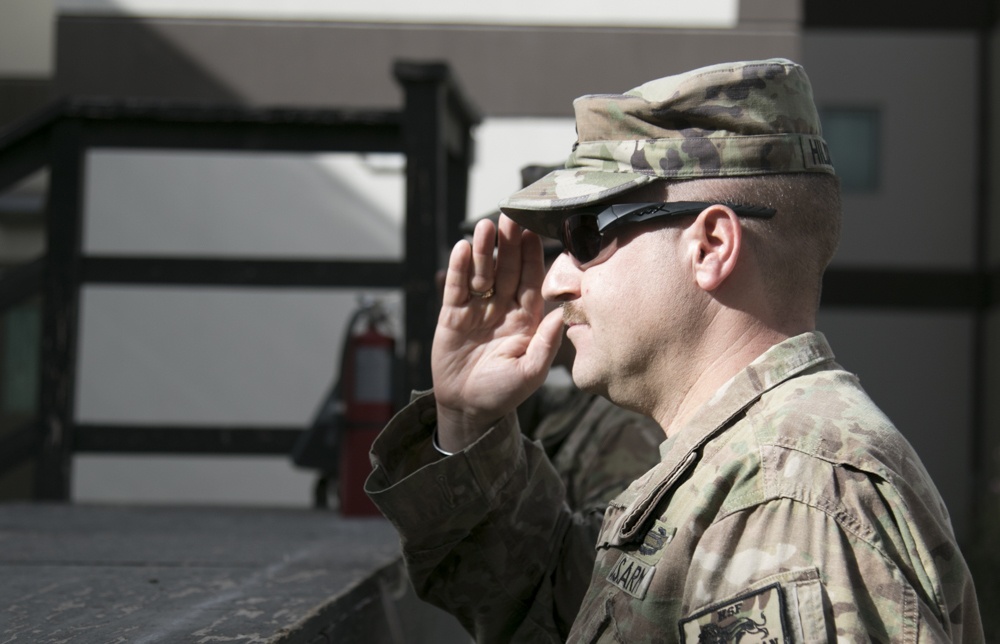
367	388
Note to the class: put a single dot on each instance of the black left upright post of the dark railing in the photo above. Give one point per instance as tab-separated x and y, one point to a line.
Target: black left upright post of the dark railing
60	291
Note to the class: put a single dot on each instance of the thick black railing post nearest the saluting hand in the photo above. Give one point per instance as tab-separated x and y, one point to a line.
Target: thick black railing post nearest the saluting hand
435	200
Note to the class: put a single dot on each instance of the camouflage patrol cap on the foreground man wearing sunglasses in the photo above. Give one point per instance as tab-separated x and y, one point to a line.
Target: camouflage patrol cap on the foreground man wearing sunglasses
729	120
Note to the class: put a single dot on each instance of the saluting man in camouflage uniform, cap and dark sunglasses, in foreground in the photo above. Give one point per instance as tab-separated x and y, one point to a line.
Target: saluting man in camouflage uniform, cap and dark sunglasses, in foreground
698	212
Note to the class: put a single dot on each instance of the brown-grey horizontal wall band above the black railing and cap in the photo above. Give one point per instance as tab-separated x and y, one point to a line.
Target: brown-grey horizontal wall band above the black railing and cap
507	70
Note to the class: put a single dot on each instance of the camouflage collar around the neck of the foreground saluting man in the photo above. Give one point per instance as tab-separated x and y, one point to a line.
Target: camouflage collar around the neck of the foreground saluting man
776	365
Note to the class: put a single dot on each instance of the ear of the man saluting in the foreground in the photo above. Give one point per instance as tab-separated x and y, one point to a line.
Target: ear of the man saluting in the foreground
716	243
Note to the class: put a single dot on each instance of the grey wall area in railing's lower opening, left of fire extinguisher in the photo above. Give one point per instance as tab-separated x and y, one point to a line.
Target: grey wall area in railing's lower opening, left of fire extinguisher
209	355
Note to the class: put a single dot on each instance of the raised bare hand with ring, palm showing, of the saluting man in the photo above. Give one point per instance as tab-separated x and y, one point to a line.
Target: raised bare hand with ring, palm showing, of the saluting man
493	344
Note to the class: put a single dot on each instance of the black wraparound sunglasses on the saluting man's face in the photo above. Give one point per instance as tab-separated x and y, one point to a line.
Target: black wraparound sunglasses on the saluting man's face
583	233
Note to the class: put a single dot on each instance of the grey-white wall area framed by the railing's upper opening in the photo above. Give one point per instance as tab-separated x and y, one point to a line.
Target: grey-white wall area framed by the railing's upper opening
227	204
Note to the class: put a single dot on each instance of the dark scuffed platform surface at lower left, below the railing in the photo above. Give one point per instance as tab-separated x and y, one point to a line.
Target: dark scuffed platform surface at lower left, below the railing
169	574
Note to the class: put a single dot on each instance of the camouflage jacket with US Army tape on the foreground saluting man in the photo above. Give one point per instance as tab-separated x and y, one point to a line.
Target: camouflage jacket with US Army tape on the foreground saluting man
787	509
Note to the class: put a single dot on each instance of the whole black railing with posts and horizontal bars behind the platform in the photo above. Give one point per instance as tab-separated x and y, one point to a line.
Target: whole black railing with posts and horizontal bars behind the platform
432	131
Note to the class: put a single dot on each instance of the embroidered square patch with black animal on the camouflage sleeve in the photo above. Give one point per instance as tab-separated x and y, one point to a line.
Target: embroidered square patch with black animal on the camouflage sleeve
758	616
